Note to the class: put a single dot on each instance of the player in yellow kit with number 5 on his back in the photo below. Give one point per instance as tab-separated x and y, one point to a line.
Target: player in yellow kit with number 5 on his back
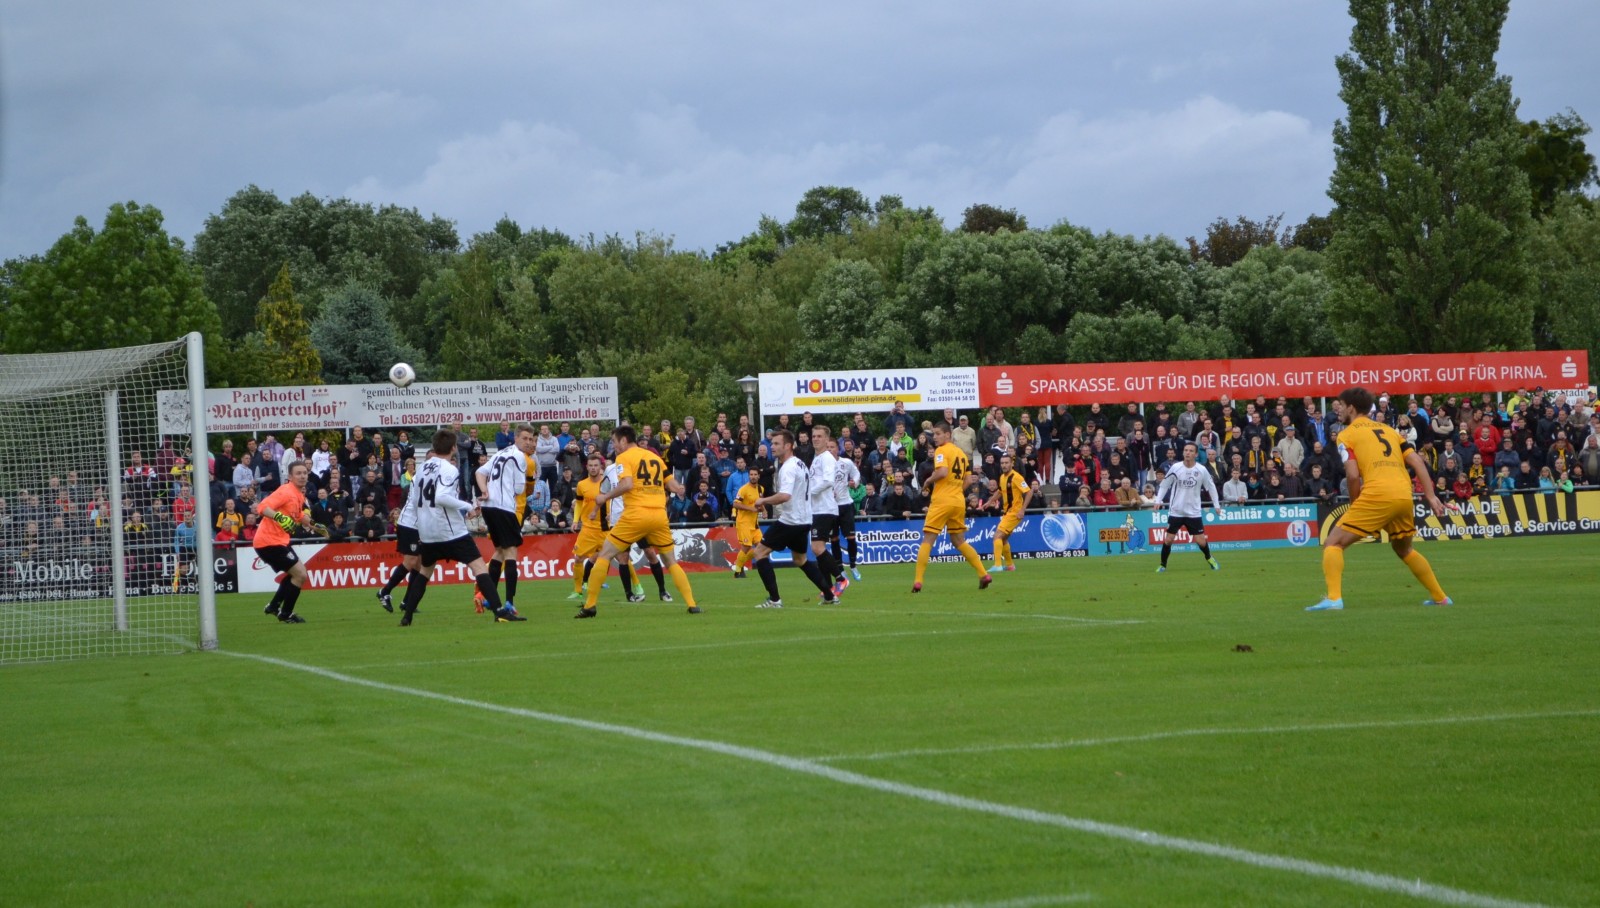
1375	466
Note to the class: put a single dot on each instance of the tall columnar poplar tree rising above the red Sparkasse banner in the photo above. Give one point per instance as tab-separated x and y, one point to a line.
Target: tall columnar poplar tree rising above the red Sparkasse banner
1431	207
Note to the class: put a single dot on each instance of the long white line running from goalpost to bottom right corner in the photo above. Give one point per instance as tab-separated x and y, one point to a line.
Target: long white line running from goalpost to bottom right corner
1369	880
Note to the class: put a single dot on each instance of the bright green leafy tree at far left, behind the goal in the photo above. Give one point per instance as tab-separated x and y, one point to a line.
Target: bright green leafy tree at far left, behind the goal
124	285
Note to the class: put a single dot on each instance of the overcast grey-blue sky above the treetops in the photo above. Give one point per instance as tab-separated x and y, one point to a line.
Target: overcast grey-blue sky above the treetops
695	119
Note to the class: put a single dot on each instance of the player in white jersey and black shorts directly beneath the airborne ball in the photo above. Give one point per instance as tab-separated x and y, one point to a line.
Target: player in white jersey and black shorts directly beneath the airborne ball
442	530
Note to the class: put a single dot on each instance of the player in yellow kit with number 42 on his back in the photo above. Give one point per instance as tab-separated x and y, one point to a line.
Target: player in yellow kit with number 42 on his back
644	485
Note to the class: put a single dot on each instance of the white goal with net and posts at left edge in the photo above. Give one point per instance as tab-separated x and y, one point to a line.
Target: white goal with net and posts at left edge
105	522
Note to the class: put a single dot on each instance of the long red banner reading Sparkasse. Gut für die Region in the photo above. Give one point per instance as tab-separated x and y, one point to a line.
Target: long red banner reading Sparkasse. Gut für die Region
1300	376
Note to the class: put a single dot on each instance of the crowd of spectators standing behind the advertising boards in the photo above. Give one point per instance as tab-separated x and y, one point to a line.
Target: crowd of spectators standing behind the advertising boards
1094	458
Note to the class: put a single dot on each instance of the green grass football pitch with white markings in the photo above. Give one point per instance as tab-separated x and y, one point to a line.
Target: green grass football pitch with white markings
945	749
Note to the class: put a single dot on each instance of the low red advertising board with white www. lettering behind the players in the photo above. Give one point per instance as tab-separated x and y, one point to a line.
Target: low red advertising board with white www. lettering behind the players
354	565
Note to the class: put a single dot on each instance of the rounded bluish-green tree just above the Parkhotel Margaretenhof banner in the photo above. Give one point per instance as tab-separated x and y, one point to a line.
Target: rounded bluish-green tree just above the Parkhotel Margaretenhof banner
358	337
